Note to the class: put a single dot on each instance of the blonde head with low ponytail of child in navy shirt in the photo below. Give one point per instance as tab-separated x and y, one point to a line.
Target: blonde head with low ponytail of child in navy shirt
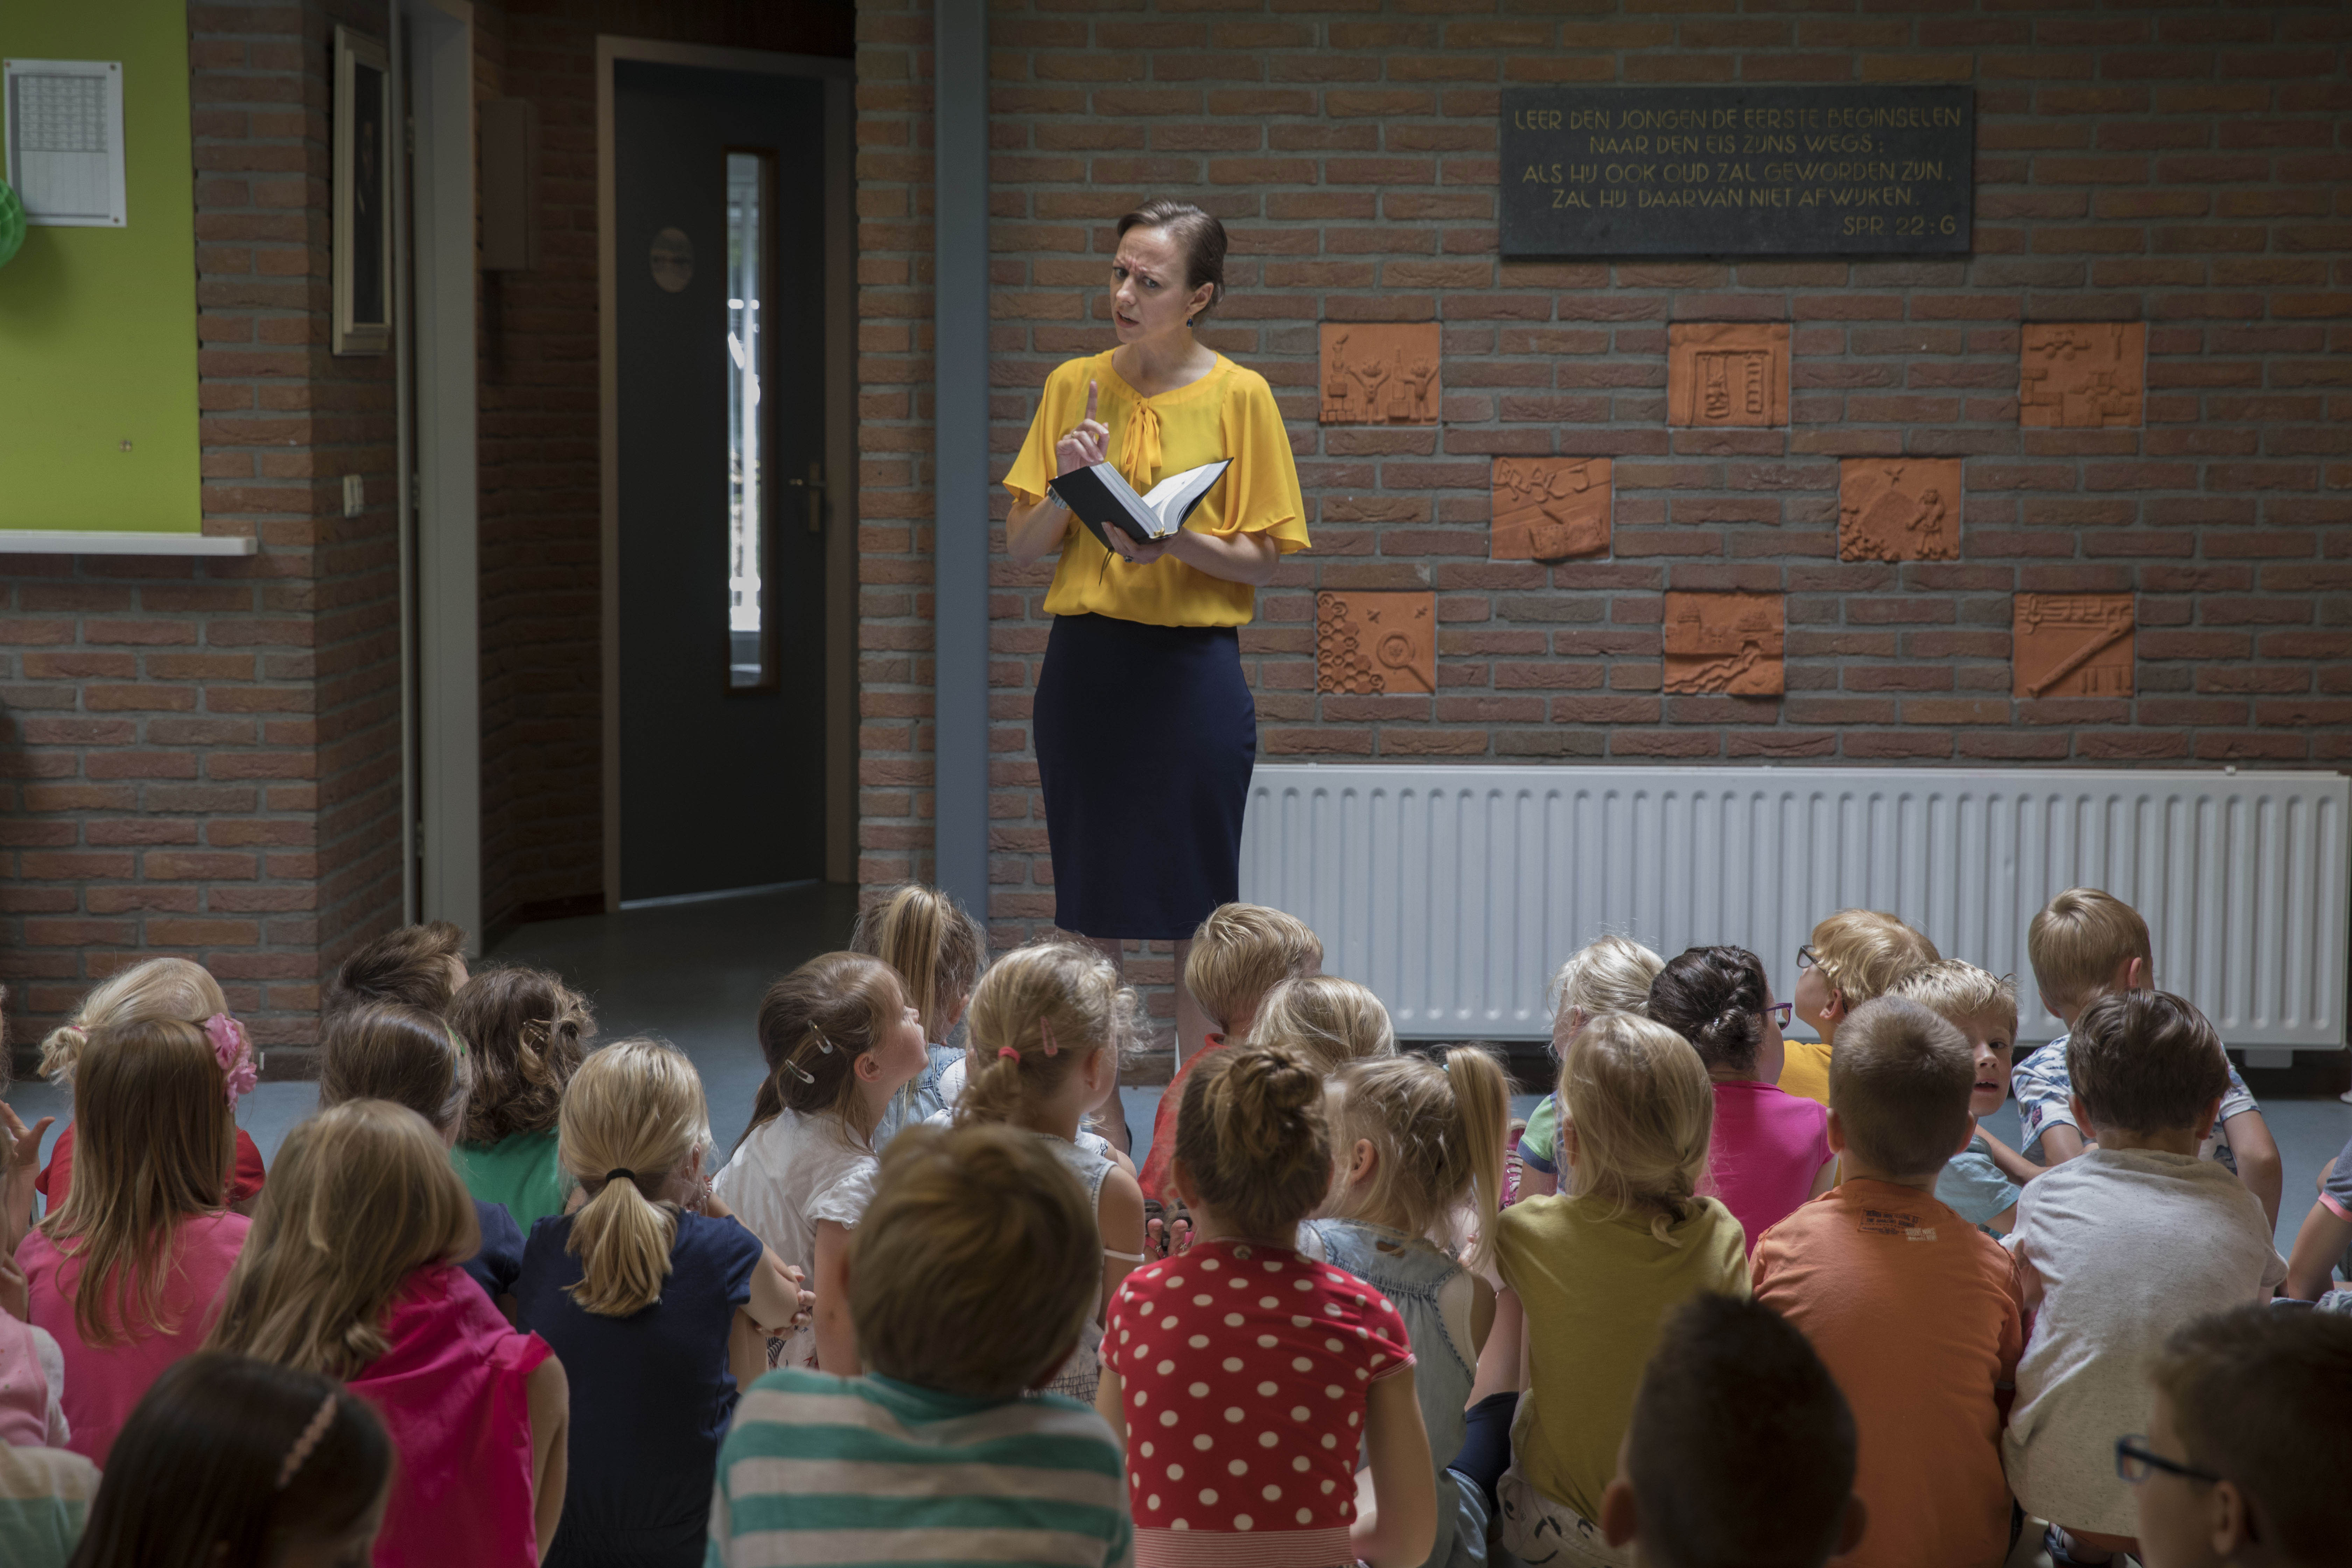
634	1115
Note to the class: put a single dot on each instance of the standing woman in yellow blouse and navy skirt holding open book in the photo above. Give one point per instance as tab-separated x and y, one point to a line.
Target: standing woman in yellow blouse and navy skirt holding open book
1142	721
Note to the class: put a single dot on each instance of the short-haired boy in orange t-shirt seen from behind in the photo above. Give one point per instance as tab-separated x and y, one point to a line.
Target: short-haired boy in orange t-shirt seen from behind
1918	1313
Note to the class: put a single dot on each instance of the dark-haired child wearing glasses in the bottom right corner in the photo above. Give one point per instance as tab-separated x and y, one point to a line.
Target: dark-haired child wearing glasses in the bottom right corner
2247	1445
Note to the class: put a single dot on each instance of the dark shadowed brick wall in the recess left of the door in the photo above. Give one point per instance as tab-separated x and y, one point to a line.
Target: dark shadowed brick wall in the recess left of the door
542	688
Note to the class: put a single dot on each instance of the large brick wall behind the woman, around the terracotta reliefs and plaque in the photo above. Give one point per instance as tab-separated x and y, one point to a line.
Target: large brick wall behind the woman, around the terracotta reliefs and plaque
2186	166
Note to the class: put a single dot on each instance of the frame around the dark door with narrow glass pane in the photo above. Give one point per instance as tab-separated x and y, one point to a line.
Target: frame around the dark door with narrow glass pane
841	683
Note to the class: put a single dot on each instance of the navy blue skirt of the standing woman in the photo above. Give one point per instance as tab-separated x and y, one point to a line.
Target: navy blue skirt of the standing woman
1144	746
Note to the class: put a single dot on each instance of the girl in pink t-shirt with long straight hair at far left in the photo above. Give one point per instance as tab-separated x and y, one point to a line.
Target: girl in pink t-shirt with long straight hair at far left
128	1271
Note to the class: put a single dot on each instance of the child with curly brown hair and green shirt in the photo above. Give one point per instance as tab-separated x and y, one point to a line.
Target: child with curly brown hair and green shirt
526	1036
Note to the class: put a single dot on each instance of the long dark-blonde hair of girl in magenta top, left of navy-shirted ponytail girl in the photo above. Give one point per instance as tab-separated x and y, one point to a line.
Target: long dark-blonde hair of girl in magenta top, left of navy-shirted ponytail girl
361	1198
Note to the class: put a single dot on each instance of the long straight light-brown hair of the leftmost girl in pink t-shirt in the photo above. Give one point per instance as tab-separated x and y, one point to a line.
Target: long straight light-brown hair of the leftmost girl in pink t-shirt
154	1139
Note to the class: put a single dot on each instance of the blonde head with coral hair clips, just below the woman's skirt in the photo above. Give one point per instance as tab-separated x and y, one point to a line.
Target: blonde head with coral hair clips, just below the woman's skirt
1036	1017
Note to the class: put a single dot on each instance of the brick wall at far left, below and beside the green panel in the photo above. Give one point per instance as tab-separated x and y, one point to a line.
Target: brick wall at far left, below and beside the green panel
203	756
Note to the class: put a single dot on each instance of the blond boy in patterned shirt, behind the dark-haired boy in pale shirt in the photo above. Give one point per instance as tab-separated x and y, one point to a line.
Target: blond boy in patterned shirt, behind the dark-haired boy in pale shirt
2087	944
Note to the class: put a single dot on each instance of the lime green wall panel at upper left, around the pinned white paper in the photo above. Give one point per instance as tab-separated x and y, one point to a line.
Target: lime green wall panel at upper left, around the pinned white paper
98	326
